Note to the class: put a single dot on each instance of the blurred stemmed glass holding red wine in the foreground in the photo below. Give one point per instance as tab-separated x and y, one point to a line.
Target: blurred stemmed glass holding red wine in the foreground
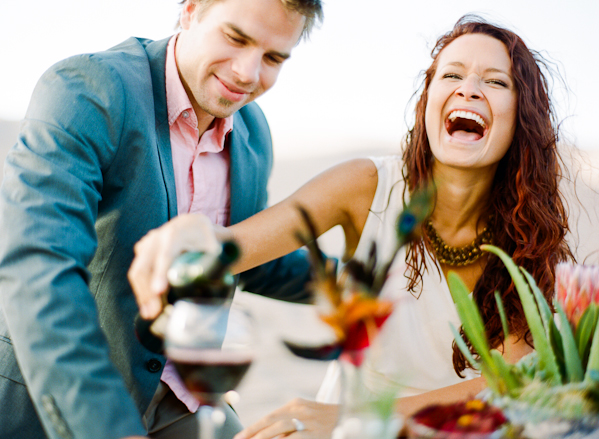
194	343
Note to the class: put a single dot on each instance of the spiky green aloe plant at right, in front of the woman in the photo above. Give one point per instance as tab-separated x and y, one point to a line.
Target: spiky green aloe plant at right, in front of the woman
566	356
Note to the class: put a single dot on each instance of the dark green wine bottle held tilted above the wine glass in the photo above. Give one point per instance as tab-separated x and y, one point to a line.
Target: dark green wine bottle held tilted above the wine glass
202	277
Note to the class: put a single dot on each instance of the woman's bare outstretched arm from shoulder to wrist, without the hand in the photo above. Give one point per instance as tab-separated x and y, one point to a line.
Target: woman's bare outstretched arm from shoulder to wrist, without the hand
341	196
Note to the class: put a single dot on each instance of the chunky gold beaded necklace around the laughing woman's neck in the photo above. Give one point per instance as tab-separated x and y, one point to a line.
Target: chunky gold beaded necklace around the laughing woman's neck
457	256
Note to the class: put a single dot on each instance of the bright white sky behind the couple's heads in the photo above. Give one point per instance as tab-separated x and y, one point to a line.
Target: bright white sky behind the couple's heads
348	87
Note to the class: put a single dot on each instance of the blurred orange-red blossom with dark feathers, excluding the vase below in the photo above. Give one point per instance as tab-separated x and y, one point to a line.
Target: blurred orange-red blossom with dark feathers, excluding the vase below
350	303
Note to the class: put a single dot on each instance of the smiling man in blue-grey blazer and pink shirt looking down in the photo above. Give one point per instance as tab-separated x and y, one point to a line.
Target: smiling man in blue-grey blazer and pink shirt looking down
115	144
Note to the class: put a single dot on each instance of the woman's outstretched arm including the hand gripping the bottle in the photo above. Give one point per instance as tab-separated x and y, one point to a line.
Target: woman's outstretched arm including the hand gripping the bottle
341	195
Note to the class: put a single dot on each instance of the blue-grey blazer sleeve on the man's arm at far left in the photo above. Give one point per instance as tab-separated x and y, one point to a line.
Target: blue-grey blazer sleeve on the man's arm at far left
48	206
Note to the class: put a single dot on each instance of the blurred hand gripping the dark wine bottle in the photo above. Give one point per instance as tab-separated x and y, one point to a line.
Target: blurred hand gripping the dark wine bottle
155	253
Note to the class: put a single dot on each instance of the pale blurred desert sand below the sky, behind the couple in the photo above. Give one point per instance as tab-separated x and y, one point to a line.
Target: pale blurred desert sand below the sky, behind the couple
277	376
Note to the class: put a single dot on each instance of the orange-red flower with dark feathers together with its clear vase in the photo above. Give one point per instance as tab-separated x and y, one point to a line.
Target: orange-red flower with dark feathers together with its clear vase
351	306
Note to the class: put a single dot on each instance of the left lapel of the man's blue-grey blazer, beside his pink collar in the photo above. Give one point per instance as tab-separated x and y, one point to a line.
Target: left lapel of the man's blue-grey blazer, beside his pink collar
157	57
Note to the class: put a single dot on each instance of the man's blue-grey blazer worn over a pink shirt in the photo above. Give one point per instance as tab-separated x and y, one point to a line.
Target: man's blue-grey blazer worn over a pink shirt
90	175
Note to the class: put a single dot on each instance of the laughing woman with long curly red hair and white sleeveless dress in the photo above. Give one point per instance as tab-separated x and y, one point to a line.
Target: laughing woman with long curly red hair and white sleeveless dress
485	133
